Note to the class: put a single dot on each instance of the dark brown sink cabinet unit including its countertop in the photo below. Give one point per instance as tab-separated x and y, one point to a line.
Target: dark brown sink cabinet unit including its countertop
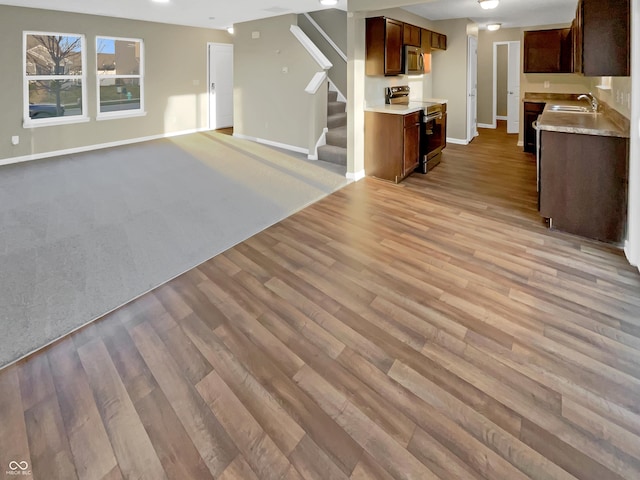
582	168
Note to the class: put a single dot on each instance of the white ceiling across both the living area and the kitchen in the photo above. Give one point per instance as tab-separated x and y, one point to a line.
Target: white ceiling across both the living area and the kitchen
224	13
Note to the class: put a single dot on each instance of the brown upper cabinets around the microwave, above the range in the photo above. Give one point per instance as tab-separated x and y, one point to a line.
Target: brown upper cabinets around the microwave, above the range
385	39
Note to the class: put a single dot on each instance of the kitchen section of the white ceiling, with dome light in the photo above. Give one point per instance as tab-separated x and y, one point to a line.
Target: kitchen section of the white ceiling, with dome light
510	13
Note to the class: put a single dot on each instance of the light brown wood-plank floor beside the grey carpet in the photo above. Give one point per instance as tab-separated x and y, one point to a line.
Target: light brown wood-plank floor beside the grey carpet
432	329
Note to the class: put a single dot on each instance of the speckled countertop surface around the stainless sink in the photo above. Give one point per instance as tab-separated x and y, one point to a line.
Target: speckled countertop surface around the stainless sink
602	123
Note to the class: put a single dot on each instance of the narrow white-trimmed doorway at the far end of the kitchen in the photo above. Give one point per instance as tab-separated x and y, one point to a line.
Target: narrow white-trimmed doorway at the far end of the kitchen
506	84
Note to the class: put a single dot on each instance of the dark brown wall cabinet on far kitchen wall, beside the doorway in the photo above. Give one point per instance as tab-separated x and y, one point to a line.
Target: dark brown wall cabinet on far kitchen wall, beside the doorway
548	51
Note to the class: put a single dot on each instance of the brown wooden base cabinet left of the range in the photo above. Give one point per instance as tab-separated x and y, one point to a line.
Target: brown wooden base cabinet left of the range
392	144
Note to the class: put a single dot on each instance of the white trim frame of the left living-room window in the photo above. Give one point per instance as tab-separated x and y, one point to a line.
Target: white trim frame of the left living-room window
27	122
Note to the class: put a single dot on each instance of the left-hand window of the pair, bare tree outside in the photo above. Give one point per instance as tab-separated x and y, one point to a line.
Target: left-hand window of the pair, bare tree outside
54	78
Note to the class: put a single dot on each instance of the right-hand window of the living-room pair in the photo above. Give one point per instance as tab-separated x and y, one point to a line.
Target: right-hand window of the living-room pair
120	75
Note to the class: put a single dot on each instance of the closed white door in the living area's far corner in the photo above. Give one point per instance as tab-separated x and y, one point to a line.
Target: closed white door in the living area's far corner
220	85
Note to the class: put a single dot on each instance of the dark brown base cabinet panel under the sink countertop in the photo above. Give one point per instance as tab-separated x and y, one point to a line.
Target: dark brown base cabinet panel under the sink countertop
583	184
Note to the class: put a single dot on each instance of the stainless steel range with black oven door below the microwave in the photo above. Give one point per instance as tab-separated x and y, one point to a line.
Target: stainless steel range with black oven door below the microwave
433	136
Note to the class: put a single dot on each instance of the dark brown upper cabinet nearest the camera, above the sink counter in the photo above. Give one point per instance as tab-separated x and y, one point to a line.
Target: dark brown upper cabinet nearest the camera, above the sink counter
602	30
